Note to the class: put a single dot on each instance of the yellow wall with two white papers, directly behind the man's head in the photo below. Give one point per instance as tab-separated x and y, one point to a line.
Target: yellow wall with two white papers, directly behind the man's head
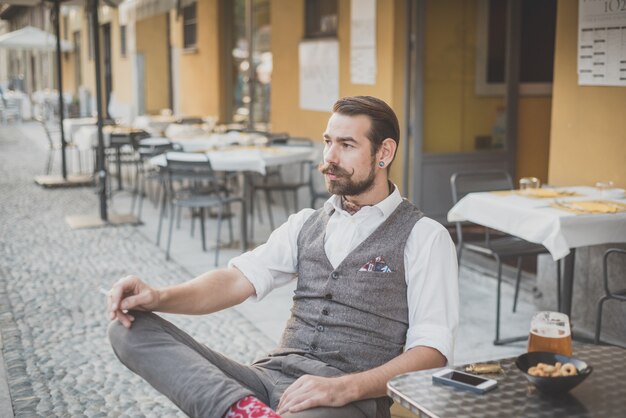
287	18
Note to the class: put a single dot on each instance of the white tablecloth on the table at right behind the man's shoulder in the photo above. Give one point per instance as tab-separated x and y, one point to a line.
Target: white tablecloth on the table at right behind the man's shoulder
534	220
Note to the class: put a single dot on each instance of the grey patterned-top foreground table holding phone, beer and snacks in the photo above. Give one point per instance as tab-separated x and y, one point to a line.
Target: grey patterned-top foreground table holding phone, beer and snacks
600	395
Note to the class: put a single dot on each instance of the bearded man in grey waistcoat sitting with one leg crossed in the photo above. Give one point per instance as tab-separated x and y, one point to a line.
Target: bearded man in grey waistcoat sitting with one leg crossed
376	296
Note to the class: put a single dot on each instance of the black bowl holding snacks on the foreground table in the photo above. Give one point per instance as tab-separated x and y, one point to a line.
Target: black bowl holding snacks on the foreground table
552	385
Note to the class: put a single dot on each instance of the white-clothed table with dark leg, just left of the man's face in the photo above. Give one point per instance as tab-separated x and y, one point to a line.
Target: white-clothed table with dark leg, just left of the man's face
247	160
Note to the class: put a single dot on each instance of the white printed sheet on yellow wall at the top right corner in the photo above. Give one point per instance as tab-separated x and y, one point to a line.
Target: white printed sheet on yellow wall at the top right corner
602	43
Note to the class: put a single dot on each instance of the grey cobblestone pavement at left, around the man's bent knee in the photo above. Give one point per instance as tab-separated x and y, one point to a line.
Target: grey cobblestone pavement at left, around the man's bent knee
52	321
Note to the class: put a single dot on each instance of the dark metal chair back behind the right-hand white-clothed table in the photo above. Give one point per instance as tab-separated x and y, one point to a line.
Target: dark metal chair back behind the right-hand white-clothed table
465	182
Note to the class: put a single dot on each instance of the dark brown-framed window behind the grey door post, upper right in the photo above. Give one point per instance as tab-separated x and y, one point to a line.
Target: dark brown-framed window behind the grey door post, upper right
538	28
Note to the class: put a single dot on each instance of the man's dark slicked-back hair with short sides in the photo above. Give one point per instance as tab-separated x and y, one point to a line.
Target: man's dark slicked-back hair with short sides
384	123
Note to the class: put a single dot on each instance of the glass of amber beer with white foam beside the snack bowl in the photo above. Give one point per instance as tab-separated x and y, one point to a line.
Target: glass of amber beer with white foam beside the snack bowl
550	331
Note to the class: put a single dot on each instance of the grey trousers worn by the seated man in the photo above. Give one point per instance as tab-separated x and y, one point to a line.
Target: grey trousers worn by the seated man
204	383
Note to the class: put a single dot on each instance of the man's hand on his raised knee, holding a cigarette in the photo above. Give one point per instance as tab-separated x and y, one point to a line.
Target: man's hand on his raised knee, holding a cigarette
130	293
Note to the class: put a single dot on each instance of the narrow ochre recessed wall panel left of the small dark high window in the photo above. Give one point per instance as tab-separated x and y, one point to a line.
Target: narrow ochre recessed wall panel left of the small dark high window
151	41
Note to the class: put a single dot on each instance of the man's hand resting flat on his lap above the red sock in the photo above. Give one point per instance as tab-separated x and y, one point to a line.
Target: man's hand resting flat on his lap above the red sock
312	391
